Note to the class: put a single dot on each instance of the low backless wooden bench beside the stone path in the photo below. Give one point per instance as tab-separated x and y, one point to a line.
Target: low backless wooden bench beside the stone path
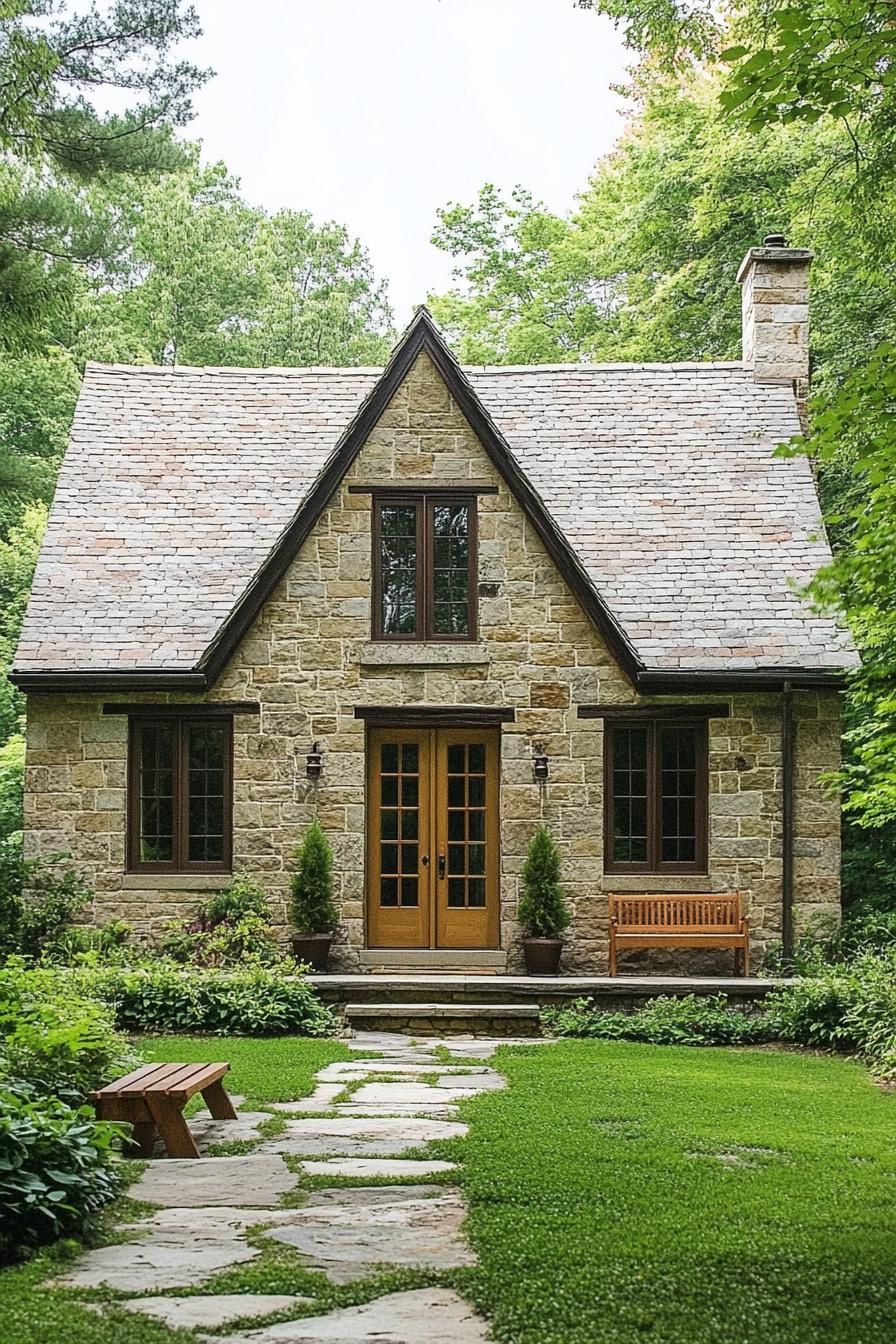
152	1100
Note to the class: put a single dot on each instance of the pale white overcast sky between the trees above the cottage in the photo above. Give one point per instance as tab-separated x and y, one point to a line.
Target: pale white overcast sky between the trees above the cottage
378	112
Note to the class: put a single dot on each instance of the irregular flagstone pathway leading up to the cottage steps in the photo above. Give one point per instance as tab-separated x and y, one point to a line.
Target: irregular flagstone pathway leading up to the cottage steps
359	1123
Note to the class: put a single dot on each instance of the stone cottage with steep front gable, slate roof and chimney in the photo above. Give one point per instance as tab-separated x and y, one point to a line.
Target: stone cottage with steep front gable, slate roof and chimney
432	607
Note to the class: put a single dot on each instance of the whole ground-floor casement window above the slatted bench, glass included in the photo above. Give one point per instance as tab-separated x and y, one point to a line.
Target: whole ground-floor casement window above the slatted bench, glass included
656	786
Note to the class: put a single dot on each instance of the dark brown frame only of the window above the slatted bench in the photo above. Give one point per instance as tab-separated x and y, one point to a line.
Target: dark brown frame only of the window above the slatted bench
655	864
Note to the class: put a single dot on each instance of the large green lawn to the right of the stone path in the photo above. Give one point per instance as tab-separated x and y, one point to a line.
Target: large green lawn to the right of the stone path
624	1193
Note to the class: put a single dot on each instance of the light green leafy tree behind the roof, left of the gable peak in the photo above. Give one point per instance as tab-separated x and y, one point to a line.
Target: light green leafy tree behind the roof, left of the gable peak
205	279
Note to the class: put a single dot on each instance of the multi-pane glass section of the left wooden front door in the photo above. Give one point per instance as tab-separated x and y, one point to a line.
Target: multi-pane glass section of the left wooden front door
400	816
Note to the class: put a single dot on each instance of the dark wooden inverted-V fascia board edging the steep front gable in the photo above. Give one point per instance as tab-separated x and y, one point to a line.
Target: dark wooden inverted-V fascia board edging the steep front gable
422	335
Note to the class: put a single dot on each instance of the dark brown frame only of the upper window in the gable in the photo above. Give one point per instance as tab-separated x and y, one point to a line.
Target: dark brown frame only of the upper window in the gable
425	503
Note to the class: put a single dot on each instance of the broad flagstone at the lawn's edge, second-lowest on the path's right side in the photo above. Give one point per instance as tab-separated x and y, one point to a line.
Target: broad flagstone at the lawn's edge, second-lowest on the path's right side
349	1234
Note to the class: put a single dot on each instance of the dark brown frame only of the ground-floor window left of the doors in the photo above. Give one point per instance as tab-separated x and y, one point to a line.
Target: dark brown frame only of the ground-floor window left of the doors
181	726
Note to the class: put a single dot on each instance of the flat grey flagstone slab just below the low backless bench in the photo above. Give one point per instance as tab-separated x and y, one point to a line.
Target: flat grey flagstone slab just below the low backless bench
205	1182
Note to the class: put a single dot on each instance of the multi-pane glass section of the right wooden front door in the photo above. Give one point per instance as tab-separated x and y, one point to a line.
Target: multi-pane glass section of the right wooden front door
467	857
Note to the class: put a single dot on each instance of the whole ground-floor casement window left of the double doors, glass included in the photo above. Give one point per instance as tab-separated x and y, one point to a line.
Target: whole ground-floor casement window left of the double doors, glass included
179	796
